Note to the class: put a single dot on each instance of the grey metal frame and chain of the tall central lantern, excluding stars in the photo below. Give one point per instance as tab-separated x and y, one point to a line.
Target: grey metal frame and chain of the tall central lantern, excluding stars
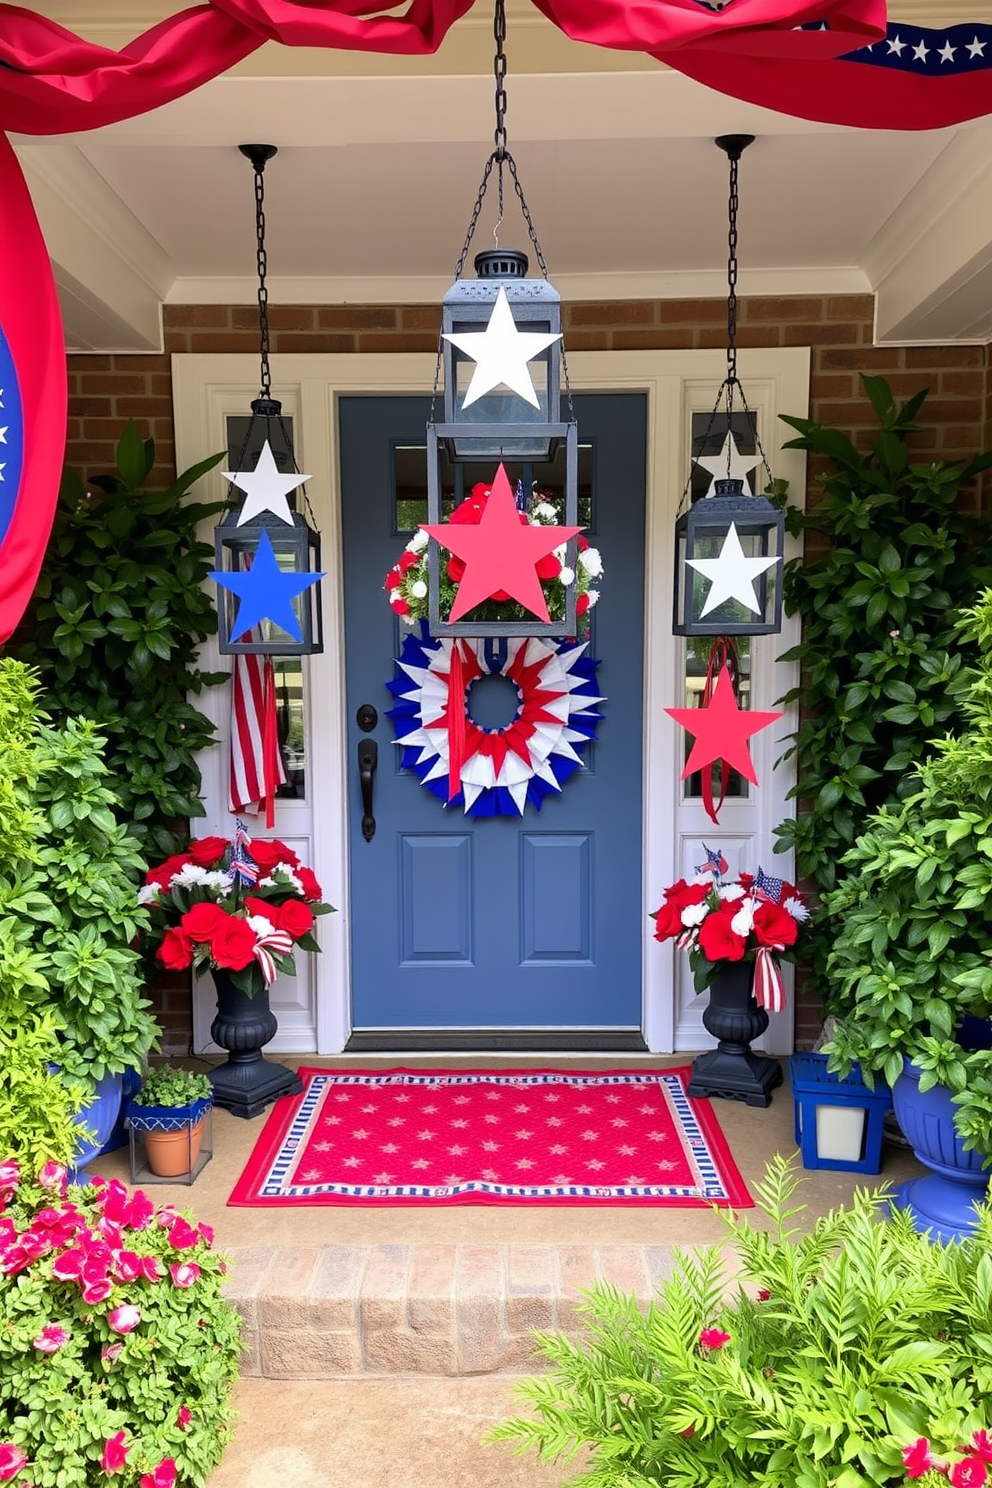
520	441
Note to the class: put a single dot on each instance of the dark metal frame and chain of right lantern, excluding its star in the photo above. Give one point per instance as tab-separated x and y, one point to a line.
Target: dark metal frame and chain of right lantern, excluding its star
758	522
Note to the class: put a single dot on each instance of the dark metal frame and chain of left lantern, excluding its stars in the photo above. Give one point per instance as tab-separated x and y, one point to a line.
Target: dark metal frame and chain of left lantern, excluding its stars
236	544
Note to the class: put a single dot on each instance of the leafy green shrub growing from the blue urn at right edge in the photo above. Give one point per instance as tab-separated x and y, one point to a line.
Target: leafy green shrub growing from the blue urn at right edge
912	919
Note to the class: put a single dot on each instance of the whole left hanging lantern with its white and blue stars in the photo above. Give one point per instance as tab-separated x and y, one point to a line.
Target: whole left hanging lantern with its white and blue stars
267	554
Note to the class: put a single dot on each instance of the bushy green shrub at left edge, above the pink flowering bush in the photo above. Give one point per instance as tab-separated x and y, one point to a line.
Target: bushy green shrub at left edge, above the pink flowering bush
68	907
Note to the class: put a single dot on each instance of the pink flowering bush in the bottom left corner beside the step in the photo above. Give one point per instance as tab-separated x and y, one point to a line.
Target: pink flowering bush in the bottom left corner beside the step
117	1347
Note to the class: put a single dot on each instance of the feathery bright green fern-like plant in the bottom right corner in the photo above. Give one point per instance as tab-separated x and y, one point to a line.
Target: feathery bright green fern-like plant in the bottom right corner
848	1347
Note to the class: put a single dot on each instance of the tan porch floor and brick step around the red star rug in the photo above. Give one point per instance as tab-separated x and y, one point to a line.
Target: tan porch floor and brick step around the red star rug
383	1343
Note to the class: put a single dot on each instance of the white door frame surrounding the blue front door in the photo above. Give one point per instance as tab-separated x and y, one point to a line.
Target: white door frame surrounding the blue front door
209	388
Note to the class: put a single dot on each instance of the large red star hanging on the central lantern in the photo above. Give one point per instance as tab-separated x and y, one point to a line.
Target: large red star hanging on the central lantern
500	553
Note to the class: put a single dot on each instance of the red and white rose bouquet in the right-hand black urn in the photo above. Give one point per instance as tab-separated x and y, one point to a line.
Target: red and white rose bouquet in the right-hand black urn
755	919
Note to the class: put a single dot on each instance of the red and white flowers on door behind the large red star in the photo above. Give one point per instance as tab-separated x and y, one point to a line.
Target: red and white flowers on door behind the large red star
407	581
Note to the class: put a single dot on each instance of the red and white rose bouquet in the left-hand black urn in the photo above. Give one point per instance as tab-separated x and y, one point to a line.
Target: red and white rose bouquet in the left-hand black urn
240	907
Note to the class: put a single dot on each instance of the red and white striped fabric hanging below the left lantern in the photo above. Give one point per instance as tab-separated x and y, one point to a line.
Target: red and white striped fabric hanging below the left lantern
257	761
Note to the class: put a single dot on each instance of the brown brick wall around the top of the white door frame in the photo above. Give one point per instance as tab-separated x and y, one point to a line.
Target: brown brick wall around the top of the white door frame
108	391
